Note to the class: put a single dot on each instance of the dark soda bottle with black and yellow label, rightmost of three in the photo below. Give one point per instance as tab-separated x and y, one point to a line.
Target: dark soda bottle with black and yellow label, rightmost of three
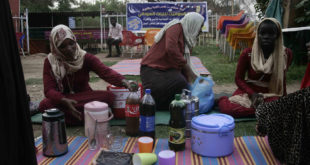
177	124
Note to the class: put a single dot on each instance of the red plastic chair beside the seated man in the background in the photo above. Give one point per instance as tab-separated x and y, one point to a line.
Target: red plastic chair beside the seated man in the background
131	40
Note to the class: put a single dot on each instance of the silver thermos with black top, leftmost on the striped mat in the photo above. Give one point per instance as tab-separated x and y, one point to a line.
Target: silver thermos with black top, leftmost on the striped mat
54	133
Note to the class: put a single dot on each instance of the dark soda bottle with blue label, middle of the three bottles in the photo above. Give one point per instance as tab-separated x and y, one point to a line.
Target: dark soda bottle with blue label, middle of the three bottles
147	115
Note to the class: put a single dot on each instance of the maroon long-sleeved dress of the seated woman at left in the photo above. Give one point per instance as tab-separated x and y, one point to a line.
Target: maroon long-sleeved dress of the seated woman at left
78	82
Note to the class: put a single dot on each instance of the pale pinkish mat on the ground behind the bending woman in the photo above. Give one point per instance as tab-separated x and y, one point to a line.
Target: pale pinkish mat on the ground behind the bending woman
132	67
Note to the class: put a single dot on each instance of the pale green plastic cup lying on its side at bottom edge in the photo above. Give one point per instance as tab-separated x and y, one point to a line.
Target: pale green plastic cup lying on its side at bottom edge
144	158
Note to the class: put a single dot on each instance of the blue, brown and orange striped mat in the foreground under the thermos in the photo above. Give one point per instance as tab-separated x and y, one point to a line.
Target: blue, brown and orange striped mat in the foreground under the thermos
247	150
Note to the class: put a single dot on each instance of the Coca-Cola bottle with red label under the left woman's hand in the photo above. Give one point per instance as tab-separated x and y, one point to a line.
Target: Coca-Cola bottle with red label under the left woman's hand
132	112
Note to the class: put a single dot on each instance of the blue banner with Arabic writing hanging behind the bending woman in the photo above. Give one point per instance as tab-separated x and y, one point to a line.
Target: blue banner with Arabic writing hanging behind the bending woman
143	16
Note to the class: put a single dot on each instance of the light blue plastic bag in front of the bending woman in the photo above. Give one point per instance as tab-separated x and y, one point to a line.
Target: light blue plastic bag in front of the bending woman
202	88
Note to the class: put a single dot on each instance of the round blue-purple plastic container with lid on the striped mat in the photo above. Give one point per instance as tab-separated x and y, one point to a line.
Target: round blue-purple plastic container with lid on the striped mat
212	135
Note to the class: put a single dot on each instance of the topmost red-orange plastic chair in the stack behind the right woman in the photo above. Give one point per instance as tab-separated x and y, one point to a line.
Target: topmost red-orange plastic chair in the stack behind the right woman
220	25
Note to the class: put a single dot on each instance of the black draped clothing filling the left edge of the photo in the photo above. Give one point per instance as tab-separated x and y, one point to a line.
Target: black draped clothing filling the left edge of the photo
17	141
